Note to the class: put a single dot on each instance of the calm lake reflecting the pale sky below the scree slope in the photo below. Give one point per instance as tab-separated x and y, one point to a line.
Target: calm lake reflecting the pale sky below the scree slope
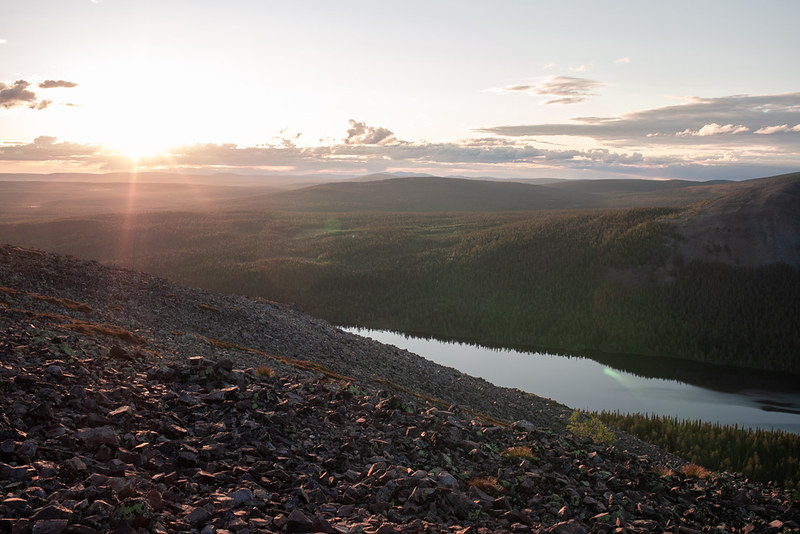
587	384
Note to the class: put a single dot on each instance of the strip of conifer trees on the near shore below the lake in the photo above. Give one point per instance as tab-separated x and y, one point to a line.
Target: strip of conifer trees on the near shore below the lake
761	455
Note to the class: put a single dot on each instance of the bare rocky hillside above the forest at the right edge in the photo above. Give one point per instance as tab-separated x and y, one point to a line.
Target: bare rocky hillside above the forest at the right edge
756	224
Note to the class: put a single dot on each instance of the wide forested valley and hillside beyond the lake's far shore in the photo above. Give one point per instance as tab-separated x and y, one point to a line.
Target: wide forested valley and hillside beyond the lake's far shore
570	281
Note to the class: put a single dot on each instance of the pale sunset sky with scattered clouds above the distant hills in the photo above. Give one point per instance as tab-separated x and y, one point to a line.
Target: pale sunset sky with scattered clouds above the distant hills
700	90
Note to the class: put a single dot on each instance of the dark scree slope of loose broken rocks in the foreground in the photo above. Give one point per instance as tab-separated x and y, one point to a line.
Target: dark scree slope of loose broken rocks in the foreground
130	404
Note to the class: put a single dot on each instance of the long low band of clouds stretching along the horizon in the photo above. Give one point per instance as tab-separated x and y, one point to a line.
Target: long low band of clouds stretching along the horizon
367	150
